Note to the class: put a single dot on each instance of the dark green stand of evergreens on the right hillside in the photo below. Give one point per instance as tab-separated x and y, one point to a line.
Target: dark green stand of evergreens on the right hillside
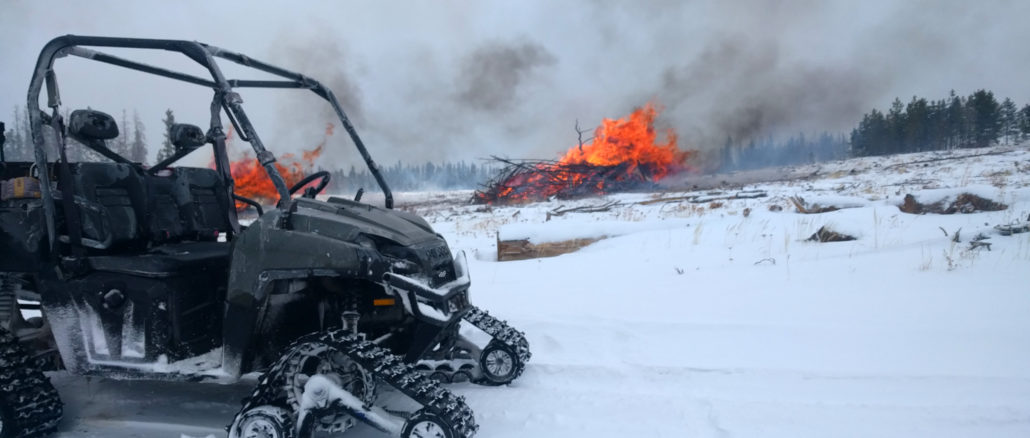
975	121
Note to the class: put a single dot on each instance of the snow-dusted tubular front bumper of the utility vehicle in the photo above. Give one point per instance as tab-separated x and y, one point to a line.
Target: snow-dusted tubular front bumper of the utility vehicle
439	307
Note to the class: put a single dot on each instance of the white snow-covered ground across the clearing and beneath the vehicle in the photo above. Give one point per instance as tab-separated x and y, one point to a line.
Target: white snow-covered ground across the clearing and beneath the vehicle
696	320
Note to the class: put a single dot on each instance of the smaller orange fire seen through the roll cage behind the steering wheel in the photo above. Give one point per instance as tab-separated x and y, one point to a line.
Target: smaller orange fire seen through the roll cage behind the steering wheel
253	182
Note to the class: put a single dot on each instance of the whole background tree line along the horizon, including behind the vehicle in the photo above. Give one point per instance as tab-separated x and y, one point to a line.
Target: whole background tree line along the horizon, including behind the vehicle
956	122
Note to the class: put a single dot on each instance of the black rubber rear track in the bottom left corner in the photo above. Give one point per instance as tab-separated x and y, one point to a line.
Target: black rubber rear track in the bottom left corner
37	405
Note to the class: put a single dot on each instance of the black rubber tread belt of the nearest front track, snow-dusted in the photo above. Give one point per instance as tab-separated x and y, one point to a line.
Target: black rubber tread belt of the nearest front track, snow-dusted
387	367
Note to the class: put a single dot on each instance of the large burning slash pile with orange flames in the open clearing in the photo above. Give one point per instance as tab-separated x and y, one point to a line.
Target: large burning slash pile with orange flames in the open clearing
625	155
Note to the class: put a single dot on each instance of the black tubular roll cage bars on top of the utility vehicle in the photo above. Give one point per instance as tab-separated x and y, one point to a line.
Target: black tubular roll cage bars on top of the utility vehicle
225	99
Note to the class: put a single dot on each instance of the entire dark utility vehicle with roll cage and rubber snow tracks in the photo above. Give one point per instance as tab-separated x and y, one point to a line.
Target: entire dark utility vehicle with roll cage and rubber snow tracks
147	273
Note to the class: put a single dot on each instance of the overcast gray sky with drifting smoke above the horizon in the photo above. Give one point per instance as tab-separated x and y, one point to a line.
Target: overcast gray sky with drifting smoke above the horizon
466	80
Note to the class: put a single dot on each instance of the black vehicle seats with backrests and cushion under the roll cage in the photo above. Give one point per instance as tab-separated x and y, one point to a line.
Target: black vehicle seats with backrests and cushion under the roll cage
179	216
